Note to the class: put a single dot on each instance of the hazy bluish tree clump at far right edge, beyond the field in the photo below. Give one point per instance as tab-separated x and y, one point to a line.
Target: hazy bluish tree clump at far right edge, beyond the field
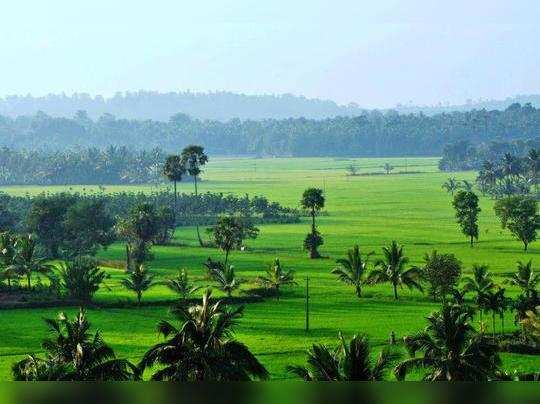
464	155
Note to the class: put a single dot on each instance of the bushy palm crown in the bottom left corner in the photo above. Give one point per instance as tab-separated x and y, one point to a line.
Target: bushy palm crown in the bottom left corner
74	354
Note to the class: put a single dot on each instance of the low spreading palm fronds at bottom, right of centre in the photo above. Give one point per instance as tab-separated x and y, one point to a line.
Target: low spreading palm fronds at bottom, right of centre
350	361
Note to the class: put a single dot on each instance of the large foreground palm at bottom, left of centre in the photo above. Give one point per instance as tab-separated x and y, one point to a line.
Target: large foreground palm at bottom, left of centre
202	348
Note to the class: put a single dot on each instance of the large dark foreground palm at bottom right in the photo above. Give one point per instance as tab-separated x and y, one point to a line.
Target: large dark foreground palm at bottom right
451	349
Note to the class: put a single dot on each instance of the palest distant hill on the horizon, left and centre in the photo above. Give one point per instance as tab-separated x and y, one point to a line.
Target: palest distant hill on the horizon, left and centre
220	106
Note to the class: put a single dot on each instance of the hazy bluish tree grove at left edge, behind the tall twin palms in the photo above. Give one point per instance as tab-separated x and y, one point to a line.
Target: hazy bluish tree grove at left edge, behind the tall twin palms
111	165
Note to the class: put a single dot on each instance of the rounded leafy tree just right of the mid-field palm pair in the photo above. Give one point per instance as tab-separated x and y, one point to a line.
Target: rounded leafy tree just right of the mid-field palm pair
442	273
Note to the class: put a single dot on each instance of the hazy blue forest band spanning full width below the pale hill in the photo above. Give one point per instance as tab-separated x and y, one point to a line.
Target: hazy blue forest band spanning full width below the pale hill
368	134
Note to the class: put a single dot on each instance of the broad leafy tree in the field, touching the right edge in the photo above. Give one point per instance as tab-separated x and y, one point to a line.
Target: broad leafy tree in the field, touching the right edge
520	215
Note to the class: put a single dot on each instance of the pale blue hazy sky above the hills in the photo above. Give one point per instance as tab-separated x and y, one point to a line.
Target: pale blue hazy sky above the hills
373	53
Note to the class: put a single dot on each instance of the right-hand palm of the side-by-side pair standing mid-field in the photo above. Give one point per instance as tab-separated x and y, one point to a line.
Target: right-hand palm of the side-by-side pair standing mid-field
392	268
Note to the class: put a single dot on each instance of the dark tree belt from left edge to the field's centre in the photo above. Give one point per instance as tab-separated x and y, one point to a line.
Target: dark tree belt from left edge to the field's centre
16	213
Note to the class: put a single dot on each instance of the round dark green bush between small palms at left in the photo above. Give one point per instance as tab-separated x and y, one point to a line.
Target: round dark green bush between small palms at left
81	278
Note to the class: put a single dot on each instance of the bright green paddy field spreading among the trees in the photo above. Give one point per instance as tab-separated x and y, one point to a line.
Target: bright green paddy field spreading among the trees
369	210
